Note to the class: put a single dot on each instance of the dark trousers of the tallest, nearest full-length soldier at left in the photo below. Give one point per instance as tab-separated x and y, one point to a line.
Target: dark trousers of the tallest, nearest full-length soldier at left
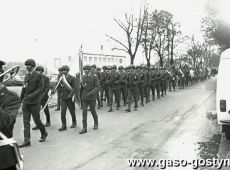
28	110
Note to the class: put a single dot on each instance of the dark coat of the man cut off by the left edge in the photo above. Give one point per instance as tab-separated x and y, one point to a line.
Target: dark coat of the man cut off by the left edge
9	105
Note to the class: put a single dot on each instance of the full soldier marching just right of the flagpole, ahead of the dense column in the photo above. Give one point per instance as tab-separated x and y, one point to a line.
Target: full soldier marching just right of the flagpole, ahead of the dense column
90	87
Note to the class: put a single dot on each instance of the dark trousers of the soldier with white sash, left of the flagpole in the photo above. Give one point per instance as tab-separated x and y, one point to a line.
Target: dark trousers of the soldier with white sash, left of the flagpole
67	103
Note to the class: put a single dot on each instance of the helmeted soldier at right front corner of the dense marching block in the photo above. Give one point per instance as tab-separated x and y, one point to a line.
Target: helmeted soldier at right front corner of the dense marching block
132	85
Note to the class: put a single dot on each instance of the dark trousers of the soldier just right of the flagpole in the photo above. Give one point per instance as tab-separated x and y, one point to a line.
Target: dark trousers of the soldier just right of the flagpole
91	104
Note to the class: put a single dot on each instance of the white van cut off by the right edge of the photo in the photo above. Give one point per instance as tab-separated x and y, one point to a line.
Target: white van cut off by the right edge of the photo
223	92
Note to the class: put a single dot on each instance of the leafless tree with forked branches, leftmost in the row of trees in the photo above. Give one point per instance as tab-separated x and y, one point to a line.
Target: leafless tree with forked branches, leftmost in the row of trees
133	28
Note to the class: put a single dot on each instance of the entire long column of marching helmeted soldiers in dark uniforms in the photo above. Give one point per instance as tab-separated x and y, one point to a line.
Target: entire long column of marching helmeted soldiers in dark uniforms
96	87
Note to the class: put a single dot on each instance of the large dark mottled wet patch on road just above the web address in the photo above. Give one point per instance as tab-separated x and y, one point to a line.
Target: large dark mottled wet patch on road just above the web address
209	150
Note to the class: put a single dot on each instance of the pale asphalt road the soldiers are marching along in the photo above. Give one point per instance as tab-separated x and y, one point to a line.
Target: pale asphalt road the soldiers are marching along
181	125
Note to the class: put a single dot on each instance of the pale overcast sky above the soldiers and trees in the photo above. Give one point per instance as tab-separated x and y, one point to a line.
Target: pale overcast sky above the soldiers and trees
45	29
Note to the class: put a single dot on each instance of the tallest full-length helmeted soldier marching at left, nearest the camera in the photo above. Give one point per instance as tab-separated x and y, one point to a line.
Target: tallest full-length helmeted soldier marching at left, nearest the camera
31	101
